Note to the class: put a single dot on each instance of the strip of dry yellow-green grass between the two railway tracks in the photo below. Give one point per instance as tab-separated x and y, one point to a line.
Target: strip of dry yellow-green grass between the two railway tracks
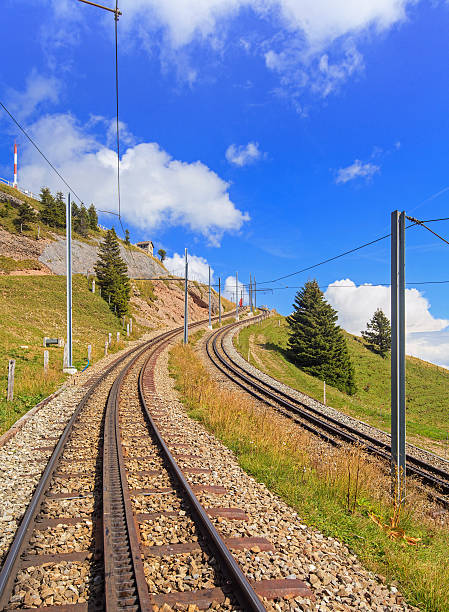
344	494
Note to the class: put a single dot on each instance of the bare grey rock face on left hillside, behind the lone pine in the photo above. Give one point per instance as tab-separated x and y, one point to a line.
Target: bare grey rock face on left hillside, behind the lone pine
84	257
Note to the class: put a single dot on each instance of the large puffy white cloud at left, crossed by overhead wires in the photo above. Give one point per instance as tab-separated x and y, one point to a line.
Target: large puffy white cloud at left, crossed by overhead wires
157	190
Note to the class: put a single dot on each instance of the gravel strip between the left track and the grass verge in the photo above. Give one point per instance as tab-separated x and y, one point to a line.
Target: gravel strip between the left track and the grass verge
334	574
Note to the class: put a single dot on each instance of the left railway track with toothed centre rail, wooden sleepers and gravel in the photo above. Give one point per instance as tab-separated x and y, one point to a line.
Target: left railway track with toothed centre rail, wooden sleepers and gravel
118	480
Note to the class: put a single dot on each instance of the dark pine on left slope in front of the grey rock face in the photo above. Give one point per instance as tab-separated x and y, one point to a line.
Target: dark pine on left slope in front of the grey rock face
112	274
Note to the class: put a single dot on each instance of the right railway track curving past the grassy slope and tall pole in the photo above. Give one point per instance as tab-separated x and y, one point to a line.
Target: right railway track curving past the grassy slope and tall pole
333	430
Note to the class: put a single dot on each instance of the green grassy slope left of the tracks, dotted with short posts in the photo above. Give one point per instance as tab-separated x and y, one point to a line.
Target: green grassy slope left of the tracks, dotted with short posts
34	307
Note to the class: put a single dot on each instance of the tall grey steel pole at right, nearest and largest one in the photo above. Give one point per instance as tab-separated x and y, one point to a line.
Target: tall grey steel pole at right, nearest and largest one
398	355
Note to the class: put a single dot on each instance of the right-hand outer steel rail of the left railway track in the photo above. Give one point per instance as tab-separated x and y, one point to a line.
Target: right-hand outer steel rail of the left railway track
243	590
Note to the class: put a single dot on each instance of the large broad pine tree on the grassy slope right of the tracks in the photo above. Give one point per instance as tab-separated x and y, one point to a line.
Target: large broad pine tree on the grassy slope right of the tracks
316	343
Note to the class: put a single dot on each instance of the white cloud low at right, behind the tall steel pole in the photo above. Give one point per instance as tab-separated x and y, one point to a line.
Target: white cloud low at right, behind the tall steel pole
427	336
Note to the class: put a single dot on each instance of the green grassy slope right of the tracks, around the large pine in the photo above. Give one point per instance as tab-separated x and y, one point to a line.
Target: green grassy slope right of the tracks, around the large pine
426	384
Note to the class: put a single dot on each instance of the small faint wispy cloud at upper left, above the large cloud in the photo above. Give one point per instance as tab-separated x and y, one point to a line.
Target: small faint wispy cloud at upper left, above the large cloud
39	89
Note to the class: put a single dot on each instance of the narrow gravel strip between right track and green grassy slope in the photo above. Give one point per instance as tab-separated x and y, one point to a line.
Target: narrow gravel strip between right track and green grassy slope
415	451
